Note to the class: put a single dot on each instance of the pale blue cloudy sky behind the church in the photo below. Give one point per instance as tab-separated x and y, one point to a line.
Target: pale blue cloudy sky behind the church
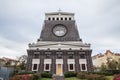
98	23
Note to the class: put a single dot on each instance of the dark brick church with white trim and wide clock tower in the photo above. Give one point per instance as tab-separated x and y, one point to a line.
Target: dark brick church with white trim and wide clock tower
59	48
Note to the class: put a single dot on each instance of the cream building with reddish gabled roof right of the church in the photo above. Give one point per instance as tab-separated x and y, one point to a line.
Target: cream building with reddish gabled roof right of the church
100	59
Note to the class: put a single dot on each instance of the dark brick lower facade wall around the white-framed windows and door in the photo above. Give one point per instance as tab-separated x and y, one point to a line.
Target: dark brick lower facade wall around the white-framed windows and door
54	57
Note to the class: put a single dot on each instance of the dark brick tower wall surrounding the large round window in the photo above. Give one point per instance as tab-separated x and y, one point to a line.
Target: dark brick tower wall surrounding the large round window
48	35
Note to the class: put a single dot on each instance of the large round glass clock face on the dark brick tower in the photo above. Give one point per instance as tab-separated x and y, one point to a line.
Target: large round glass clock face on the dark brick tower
59	30
